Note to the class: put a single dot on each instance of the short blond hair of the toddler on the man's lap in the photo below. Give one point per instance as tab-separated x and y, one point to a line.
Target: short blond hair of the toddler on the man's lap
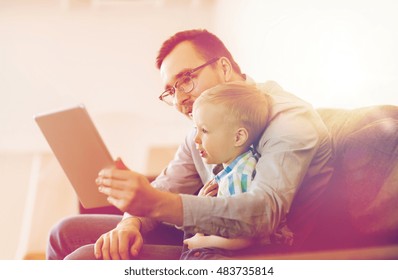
243	104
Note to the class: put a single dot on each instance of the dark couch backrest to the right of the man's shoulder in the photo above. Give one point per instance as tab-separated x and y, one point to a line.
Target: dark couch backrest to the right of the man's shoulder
361	204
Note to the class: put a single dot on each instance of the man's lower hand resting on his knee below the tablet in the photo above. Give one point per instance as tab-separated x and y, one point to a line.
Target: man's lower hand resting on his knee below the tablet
121	242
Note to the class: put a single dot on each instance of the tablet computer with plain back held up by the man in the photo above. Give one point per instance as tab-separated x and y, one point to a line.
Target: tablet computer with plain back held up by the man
79	149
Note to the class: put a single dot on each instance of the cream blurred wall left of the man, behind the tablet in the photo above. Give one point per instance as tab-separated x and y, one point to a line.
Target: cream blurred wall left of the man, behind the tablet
60	53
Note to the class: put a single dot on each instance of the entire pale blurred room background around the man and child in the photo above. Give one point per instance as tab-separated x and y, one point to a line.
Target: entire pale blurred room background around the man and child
59	53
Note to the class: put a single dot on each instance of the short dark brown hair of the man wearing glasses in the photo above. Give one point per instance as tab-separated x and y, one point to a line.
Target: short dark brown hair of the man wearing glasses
207	45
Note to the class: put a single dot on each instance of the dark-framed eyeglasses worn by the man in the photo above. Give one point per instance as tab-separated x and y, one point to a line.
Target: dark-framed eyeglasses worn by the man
185	84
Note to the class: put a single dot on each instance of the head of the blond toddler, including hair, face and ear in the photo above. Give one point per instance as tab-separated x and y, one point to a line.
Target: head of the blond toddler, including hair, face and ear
229	118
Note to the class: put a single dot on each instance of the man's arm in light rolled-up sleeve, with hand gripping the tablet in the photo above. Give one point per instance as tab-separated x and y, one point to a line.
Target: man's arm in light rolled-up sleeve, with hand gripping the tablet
287	147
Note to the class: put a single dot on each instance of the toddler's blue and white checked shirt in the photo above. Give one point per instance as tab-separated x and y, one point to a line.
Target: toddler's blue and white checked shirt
236	177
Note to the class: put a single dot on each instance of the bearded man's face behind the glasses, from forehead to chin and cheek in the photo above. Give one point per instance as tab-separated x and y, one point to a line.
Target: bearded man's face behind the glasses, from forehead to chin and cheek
182	58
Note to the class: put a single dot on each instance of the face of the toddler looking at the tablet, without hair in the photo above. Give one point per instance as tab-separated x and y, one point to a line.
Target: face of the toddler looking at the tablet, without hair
215	138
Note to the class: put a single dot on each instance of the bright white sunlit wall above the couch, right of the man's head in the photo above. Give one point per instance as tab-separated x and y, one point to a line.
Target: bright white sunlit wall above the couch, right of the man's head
338	53
